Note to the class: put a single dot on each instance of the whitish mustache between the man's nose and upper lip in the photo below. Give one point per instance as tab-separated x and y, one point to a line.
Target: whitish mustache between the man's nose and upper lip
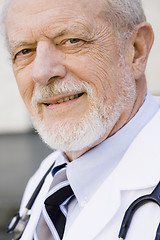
59	87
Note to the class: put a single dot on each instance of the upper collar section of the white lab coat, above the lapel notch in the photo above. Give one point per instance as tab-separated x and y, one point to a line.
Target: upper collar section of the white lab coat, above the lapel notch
139	167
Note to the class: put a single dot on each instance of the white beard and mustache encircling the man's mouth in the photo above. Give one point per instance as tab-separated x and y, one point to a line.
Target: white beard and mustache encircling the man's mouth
65	135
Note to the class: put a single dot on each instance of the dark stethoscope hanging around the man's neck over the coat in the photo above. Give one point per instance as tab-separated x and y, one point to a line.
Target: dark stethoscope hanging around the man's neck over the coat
19	223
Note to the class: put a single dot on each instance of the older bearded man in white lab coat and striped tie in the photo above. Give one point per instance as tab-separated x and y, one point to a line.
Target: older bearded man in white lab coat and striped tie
79	66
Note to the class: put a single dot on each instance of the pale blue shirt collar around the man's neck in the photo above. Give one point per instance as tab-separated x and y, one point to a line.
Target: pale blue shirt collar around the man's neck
88	172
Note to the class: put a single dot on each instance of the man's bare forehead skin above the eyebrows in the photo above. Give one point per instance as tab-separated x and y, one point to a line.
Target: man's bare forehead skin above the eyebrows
25	11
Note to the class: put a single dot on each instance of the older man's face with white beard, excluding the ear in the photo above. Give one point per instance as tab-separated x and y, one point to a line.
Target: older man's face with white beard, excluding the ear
70	73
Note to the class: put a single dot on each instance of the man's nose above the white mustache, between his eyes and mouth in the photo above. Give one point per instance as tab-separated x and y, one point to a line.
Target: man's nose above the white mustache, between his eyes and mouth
47	64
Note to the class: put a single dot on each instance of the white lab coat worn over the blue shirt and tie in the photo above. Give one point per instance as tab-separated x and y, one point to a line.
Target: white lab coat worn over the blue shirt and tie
137	174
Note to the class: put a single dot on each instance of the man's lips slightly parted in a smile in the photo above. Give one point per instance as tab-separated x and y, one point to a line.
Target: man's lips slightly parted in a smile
53	101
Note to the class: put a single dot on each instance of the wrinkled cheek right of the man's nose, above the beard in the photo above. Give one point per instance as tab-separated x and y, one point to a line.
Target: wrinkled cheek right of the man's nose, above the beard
95	69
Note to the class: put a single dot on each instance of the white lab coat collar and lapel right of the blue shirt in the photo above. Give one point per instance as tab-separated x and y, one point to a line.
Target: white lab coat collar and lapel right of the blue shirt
138	169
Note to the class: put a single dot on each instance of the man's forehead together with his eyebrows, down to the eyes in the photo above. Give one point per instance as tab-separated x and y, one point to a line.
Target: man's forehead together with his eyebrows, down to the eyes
31	20
